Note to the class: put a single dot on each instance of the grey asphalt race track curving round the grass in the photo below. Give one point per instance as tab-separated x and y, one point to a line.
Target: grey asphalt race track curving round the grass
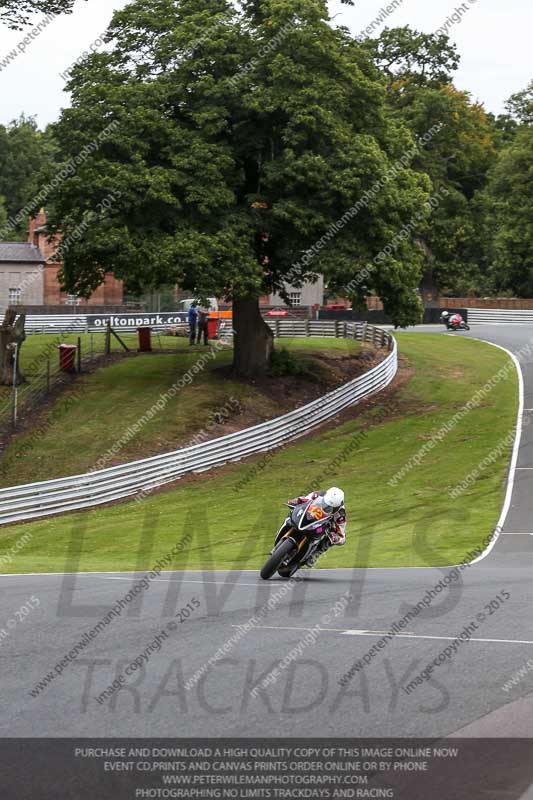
463	697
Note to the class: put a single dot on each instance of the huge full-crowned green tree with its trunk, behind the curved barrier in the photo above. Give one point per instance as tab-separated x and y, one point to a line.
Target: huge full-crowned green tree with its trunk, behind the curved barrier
240	138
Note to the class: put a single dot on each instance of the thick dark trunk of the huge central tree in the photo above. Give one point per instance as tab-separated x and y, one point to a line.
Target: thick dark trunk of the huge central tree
254	341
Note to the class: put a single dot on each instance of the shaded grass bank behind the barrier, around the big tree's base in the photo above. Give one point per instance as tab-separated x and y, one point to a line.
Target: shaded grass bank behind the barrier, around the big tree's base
101	418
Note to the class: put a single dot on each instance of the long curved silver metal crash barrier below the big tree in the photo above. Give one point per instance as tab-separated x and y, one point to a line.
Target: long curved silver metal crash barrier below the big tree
127	480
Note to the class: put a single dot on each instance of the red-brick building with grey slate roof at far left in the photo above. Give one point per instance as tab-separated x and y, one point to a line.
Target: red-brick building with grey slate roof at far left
29	274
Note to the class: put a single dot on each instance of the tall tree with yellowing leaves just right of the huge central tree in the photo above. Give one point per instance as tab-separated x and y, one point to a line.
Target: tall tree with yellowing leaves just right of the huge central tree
418	71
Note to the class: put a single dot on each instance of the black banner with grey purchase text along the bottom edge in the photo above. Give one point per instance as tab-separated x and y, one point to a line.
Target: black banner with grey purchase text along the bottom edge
276	769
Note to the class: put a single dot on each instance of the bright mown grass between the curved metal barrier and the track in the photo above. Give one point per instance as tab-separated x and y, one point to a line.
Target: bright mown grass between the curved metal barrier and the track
412	523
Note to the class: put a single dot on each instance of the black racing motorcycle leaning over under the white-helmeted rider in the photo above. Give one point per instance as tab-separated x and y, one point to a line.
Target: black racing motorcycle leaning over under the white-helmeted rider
300	536
